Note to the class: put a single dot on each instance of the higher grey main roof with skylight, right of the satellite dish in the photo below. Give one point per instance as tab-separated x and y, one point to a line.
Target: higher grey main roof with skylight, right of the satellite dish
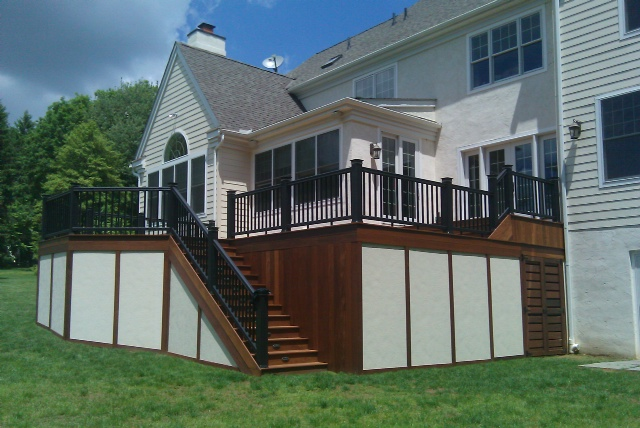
421	16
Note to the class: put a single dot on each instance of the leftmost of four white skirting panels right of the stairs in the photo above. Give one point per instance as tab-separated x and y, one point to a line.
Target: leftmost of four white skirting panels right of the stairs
384	333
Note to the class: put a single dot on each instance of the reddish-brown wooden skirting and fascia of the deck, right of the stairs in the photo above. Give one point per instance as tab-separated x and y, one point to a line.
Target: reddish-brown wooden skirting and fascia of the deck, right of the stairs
316	274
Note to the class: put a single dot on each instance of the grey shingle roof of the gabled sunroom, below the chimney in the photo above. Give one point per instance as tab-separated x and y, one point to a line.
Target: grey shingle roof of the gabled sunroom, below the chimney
240	95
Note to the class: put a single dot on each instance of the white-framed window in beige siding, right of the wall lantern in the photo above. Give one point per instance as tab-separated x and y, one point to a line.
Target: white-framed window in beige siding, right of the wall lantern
619	135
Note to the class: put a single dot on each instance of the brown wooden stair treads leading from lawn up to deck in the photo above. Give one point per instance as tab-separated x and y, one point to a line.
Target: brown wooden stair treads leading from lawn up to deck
288	351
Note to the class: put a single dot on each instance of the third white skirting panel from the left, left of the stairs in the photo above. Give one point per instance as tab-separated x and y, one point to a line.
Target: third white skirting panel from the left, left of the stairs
92	296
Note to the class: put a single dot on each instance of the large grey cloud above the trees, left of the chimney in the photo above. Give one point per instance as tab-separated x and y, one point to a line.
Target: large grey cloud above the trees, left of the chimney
59	48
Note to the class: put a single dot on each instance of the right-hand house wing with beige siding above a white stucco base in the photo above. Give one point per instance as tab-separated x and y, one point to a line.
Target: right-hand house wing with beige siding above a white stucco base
600	87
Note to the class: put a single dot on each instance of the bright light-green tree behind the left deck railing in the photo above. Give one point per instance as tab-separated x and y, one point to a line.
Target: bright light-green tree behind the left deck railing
87	158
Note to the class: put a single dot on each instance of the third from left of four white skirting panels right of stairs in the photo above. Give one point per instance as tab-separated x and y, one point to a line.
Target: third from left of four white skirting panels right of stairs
471	307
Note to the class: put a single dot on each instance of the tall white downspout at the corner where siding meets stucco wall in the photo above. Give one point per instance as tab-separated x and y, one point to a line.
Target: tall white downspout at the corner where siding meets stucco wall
573	346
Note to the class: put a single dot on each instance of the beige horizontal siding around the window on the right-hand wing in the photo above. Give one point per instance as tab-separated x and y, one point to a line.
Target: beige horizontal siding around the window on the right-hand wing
594	62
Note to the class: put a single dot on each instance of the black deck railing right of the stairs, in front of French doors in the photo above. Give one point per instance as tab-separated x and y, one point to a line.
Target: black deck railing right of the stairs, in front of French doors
360	194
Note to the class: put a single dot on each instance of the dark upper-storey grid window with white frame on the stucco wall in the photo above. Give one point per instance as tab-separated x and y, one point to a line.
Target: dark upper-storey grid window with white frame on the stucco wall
508	50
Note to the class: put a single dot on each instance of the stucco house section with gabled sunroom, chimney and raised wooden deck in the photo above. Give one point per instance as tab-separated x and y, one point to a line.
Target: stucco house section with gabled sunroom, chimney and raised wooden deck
396	194
